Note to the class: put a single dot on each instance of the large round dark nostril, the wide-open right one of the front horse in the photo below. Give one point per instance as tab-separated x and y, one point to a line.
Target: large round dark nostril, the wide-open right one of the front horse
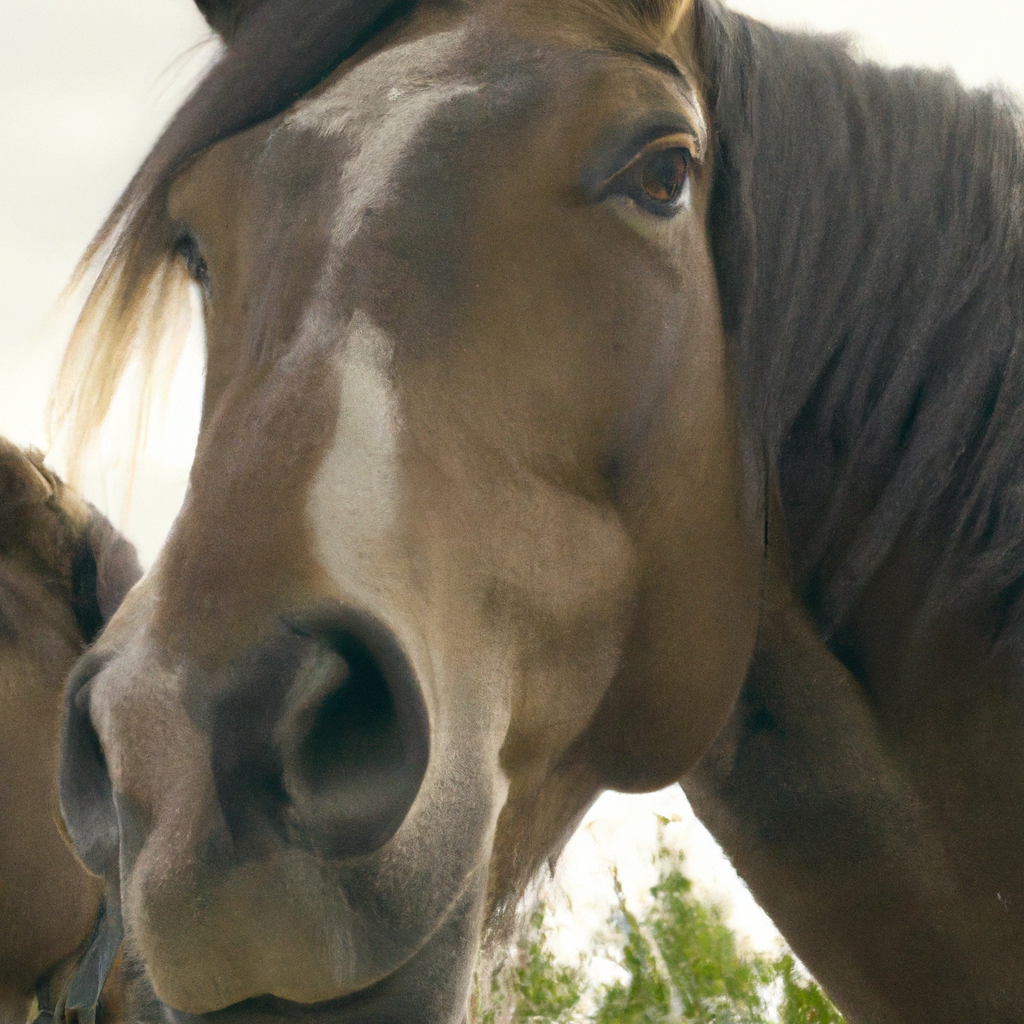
354	735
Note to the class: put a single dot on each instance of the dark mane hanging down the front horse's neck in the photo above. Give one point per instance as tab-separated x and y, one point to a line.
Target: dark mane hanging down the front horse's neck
870	239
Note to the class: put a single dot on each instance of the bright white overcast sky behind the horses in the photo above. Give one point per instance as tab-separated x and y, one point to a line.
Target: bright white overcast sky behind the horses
86	87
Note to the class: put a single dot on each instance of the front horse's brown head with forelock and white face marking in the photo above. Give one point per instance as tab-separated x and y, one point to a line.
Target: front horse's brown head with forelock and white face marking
468	536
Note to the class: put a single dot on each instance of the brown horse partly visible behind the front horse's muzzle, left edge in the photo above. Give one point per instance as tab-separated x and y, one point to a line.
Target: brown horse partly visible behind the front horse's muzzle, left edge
64	571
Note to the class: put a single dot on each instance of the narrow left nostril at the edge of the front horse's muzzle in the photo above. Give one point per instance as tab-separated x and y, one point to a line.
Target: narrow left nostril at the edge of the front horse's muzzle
84	785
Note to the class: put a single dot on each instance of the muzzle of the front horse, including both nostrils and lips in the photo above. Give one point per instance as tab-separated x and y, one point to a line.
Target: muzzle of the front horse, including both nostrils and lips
262	820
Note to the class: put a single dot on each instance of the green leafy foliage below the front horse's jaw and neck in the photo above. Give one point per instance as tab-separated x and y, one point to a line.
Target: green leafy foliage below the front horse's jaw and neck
682	964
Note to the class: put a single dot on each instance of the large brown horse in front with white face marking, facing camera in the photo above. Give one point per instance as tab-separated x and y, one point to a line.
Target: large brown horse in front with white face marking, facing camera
569	365
